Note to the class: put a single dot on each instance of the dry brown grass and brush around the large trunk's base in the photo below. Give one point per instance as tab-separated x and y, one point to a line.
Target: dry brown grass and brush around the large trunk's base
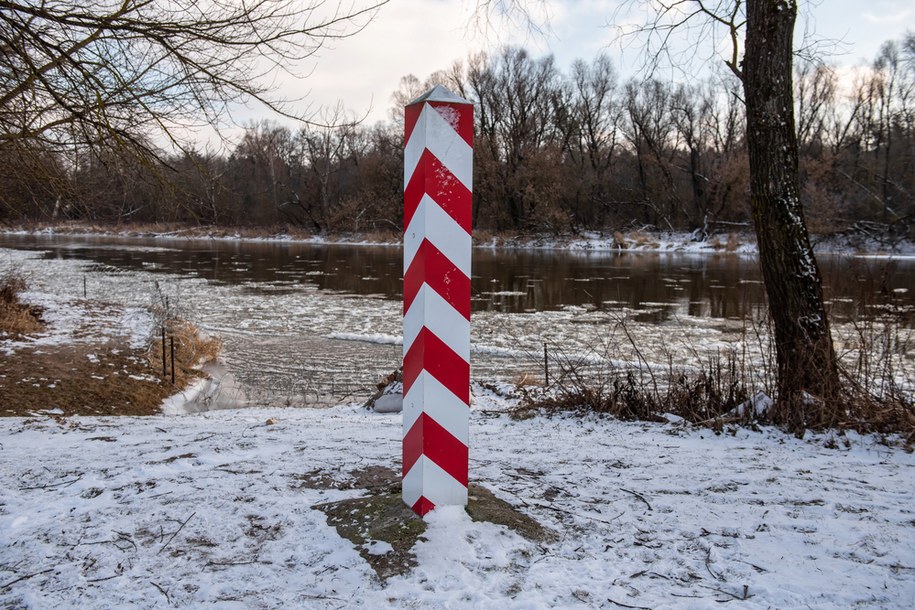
719	390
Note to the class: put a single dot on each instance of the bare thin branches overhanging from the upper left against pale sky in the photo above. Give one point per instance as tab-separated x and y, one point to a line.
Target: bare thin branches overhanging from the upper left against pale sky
112	72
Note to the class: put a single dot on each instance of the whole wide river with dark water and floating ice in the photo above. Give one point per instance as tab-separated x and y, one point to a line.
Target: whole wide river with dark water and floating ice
306	323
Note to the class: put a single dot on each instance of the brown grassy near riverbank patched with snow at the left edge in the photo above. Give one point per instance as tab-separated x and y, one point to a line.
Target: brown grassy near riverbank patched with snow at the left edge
95	357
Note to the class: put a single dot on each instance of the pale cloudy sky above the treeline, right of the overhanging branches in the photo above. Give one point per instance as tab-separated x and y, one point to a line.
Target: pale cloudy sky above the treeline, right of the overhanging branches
422	36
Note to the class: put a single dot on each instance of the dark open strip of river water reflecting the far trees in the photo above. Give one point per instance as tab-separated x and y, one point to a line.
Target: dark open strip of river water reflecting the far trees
652	287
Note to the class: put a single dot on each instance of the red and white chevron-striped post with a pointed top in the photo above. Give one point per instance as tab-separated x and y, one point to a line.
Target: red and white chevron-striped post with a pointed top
438	184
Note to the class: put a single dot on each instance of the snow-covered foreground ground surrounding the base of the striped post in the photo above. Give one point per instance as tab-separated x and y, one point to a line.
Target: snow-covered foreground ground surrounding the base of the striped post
208	510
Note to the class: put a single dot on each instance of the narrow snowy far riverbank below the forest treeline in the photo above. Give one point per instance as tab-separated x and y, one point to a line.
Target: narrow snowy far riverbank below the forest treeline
741	241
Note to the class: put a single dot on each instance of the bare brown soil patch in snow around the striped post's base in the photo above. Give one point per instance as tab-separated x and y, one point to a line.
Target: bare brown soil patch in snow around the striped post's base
385	530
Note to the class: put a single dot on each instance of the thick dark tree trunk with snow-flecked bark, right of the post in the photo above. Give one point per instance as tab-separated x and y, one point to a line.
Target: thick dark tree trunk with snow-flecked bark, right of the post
808	378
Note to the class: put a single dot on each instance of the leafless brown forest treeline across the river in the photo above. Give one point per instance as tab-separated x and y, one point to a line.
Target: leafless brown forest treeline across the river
554	151
